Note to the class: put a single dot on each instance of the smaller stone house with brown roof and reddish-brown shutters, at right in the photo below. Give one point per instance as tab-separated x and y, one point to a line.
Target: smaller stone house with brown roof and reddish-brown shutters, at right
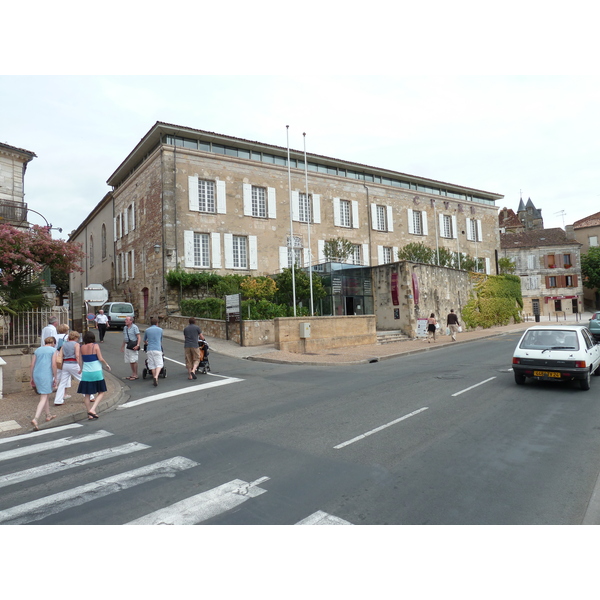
547	261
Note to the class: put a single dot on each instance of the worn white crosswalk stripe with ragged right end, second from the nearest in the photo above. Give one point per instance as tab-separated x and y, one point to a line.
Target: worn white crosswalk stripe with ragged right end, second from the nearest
204	506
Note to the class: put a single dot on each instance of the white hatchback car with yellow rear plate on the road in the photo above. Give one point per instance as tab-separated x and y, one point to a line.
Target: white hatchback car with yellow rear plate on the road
562	353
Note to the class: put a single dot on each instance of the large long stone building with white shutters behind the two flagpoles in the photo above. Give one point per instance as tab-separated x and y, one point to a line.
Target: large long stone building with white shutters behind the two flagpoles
204	201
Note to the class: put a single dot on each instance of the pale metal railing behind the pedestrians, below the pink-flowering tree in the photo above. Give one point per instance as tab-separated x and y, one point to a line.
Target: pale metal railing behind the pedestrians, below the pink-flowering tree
25	328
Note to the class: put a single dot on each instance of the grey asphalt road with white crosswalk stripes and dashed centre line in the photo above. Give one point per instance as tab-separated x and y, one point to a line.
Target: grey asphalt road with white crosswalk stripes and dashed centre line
443	437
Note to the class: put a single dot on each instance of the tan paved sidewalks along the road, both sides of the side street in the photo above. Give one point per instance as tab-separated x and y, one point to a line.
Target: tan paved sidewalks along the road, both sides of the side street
17	410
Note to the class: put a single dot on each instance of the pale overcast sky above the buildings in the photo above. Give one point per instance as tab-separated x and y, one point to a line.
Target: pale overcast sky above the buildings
532	136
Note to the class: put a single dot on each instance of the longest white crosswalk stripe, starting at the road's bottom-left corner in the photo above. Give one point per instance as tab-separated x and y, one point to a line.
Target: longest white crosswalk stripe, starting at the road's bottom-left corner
50	505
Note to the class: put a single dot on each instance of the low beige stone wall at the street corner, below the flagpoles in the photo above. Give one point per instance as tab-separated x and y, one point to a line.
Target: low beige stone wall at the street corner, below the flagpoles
325	333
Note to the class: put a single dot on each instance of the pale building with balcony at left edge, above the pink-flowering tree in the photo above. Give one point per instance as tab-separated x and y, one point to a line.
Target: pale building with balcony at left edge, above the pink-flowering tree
13	164
